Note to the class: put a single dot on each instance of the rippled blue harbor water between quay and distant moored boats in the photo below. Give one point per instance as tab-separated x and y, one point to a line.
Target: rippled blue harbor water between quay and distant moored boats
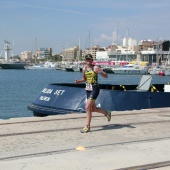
18	88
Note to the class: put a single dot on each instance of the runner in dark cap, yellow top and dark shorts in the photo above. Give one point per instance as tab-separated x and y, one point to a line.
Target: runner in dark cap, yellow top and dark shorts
90	75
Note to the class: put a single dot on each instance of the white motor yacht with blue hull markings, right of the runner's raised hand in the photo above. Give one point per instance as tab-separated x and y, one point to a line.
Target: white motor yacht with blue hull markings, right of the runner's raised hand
130	69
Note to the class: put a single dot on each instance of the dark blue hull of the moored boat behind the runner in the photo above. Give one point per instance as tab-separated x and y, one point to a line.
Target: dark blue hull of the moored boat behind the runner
68	98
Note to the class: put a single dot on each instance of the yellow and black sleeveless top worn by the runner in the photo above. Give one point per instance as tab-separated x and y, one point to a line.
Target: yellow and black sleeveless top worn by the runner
91	76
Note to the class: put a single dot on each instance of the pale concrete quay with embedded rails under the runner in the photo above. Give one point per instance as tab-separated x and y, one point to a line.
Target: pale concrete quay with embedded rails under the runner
132	140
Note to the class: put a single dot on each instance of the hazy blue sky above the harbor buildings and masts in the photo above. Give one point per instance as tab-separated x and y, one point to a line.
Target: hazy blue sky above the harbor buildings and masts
60	23
